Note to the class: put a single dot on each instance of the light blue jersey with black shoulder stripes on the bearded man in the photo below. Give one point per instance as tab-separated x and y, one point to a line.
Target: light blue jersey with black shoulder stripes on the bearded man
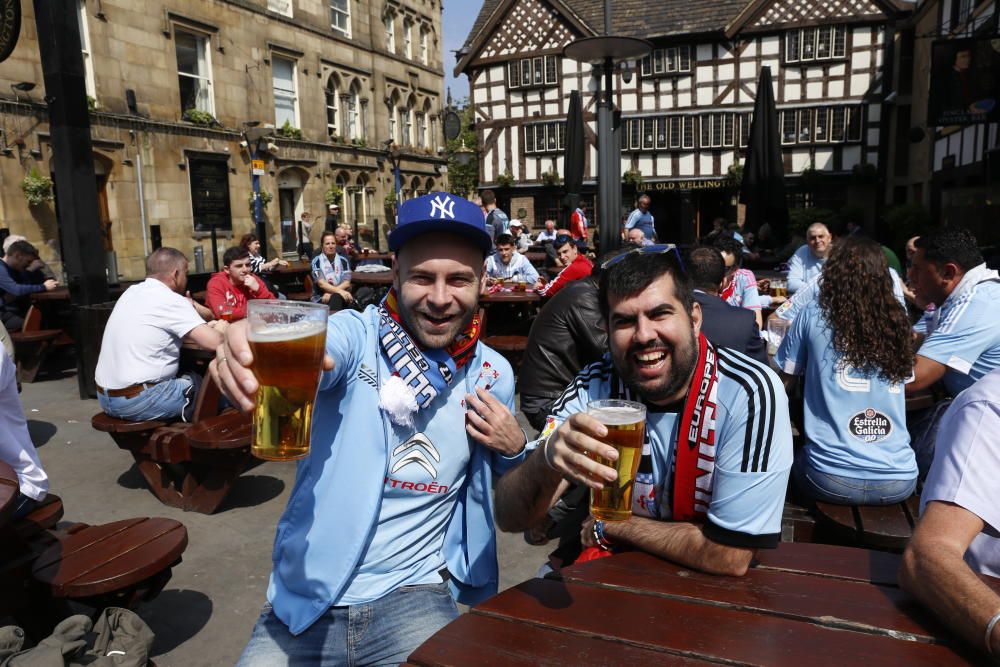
753	447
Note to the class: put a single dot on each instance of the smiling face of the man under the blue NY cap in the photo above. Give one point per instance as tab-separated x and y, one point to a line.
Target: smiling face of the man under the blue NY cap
438	278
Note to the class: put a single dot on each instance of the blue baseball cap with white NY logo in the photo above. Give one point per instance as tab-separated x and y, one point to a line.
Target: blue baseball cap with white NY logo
440	212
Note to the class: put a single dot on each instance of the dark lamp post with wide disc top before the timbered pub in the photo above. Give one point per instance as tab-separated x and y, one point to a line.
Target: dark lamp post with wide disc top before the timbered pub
605	53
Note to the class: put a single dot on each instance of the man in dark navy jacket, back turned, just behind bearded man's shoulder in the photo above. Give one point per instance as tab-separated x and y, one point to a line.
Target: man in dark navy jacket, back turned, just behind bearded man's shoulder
724	325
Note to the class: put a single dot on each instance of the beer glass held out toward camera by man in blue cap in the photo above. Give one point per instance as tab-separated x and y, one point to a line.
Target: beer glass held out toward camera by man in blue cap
287	339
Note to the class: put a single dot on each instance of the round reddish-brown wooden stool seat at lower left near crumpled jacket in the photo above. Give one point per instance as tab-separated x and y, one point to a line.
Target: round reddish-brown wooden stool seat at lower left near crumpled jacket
115	564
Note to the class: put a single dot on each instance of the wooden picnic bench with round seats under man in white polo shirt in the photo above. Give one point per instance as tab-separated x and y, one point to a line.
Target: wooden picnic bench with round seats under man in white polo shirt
190	474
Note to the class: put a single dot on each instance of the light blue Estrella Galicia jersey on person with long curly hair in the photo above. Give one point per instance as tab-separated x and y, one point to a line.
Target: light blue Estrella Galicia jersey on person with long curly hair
855	425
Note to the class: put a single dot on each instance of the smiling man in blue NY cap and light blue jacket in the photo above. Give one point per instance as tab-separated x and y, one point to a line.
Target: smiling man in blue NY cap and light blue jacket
391	517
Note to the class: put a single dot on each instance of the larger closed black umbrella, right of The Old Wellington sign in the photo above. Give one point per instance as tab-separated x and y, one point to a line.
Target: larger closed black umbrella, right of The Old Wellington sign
763	187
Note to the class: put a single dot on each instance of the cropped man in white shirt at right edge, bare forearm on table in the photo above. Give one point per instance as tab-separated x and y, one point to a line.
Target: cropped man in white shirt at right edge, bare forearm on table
959	530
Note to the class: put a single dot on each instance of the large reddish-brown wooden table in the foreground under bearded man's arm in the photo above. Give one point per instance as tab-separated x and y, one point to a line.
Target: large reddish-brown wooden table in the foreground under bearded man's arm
802	604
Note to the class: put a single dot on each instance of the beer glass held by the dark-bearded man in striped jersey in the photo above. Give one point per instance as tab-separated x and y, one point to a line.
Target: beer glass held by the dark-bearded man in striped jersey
626	424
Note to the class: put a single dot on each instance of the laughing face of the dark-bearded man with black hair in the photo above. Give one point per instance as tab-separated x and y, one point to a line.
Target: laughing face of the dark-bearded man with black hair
653	341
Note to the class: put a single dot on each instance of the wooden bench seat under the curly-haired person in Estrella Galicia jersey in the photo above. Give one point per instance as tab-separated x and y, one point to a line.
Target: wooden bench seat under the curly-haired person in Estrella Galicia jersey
887	527
